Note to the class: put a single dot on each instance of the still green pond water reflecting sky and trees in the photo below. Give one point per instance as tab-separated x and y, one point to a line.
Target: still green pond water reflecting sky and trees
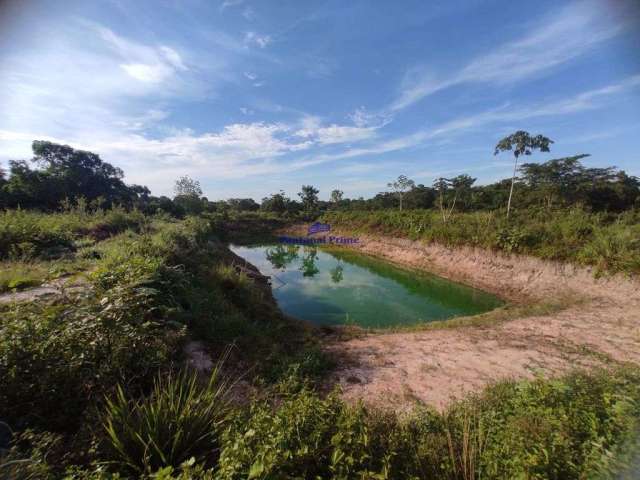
338	287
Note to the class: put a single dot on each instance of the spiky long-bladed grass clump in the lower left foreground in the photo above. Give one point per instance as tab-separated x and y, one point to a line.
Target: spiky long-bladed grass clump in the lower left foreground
179	420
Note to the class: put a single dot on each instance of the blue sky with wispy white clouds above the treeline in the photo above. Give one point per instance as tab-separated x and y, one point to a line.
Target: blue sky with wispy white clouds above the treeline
250	97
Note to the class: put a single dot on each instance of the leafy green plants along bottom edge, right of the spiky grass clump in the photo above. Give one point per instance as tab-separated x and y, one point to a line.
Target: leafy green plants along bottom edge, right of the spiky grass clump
569	428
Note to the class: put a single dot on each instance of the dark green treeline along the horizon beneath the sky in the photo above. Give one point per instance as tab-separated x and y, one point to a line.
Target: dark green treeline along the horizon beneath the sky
63	174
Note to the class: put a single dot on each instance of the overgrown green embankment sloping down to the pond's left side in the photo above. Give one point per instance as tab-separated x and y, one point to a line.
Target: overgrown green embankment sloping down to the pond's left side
149	290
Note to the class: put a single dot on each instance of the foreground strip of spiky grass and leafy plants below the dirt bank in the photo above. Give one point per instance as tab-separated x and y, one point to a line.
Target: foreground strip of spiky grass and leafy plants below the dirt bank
582	425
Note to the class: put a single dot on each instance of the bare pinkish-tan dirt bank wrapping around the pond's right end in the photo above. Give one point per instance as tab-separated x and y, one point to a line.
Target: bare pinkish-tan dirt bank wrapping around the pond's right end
433	366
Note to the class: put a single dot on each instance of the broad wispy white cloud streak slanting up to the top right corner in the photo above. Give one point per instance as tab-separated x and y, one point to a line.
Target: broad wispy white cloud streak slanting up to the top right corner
564	35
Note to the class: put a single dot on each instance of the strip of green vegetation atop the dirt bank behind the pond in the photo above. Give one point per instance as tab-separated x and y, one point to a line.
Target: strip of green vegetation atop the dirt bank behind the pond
608	242
